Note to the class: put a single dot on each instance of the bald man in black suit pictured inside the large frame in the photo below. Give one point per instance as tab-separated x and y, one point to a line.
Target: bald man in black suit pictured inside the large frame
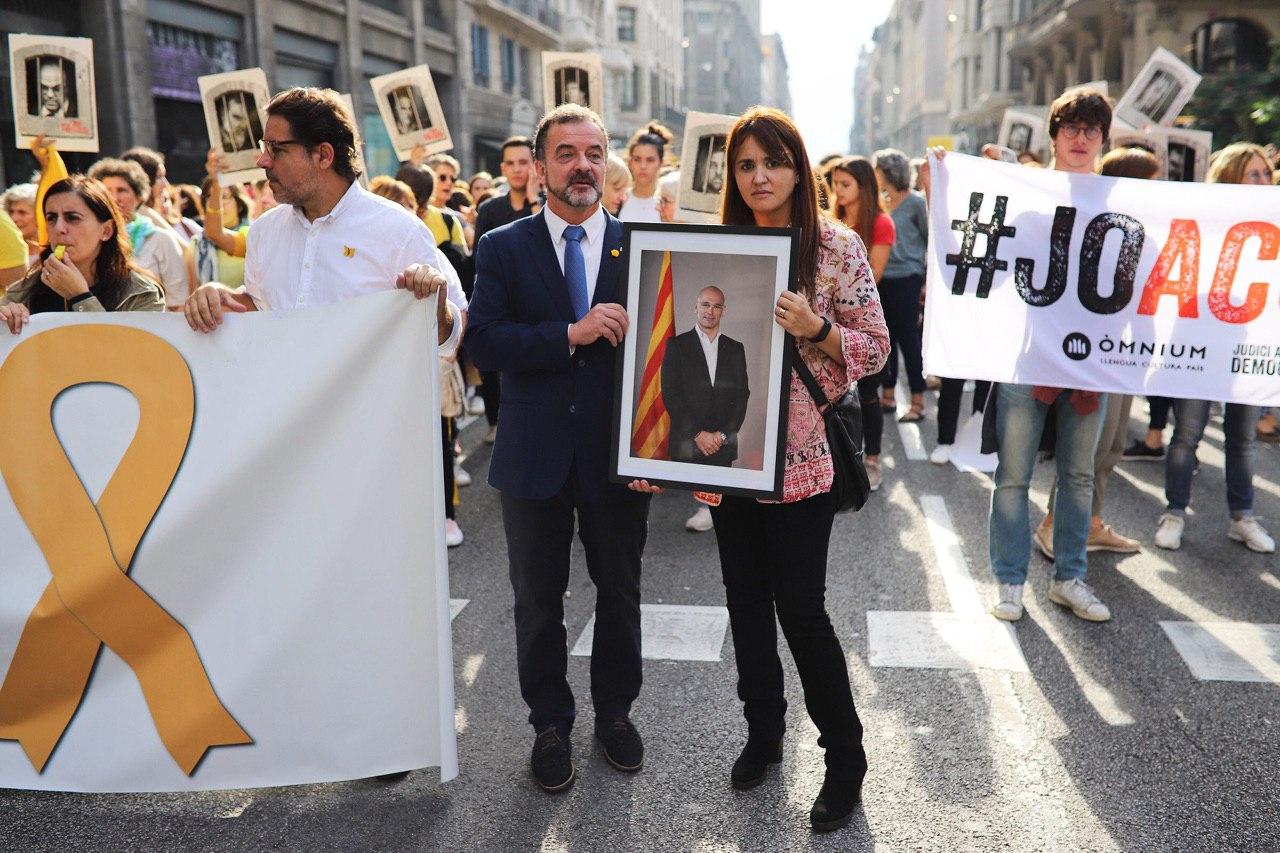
705	387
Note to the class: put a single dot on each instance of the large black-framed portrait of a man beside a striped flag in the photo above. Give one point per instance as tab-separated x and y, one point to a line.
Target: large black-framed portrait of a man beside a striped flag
703	377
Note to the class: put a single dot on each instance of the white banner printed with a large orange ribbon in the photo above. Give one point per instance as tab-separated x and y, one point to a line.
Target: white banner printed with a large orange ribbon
273	494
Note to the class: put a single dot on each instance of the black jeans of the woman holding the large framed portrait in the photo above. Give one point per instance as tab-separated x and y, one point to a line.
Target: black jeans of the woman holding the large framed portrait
774	559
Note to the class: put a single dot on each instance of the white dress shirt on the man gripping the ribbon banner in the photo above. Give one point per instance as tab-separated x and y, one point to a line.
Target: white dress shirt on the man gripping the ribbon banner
358	248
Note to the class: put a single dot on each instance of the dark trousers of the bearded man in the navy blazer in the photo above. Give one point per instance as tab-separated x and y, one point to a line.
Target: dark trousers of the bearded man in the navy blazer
540	536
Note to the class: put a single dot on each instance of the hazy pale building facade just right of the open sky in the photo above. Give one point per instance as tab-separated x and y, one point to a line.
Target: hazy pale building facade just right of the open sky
900	84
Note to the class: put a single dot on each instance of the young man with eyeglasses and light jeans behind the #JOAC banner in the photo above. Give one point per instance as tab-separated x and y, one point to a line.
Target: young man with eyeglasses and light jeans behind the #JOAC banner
1078	126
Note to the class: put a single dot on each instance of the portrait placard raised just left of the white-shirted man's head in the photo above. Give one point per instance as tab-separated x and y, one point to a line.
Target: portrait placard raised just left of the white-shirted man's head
235	116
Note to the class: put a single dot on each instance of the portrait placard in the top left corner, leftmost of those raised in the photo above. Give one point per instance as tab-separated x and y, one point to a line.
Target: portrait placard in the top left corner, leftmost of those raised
53	92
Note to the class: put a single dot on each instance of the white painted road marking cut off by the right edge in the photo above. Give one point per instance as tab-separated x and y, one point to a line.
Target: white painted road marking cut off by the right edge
1228	651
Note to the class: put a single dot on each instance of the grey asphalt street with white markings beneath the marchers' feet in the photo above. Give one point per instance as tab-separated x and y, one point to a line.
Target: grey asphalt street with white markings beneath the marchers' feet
1076	737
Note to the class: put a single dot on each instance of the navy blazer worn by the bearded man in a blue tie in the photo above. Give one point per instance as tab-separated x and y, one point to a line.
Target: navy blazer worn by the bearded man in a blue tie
557	409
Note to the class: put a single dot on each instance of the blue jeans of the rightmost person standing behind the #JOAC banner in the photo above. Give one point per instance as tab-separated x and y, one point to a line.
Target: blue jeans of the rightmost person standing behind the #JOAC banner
1238	426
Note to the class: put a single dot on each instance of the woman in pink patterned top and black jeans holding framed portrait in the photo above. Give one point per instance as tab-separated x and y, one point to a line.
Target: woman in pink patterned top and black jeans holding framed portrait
774	556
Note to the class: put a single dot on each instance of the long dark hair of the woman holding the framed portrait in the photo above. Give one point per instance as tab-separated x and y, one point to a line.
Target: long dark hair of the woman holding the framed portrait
775	133
